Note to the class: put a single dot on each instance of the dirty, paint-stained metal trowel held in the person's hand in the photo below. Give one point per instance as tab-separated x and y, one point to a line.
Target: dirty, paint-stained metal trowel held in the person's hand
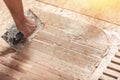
15	38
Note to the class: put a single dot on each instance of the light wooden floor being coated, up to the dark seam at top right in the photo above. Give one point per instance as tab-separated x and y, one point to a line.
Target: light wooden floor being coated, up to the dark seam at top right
69	46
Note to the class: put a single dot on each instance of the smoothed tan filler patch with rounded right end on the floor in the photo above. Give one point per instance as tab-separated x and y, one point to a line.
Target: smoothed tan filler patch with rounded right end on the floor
68	38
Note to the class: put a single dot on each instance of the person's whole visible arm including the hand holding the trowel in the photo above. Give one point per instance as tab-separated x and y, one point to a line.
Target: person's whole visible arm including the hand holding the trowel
24	24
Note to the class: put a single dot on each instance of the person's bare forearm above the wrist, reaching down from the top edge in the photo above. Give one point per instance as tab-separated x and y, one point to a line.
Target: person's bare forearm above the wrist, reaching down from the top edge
16	9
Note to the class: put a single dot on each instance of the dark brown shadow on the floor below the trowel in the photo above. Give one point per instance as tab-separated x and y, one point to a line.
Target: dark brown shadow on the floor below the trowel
12	62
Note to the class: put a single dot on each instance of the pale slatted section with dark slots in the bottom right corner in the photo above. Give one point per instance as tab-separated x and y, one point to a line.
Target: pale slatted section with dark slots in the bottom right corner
112	71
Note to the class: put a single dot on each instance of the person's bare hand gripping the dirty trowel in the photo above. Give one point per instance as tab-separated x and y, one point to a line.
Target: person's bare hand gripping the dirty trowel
26	27
